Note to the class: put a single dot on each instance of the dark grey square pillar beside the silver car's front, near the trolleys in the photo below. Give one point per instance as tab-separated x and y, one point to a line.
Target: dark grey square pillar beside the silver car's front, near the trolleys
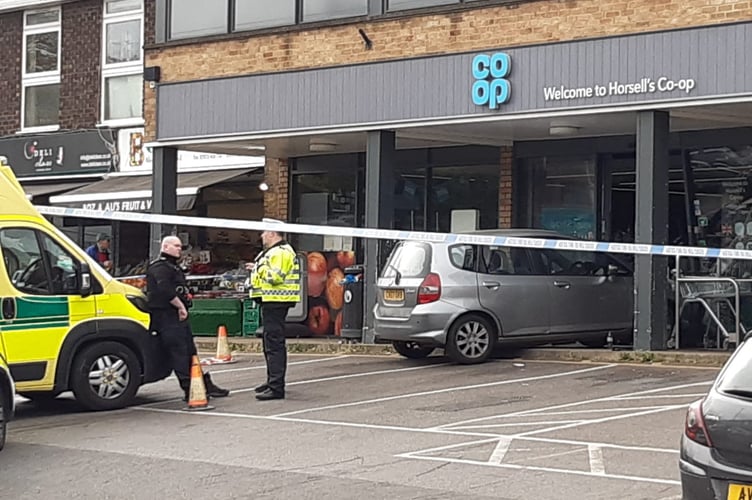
651	227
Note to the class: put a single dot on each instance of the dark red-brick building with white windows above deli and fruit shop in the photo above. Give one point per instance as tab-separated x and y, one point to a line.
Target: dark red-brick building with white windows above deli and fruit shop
72	124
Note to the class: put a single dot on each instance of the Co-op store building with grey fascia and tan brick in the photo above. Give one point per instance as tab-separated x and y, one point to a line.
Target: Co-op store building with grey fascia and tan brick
612	120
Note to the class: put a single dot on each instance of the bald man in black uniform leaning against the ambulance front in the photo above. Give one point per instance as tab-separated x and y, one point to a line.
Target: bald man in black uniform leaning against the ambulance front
169	301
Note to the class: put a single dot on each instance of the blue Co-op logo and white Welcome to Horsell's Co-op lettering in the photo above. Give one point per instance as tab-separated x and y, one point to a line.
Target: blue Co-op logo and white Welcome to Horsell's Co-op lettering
492	86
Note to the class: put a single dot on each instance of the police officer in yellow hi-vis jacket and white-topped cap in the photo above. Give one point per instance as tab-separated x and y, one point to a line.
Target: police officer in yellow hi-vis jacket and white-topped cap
275	283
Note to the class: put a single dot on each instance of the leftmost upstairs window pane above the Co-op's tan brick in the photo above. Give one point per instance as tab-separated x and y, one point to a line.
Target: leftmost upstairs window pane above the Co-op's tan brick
192	18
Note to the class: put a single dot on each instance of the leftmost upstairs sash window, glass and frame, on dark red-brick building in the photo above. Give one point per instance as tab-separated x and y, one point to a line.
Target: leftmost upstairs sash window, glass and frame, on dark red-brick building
41	69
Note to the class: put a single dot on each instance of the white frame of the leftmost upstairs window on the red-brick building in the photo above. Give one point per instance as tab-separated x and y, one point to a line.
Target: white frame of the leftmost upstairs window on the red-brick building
45	77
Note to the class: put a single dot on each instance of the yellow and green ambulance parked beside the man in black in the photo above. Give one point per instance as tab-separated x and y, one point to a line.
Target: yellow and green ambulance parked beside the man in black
65	324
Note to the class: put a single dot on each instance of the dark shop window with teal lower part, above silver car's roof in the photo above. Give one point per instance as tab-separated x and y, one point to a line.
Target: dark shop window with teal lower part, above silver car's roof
561	194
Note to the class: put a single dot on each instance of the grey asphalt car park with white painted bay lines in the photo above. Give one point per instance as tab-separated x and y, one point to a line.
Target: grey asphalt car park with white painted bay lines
372	427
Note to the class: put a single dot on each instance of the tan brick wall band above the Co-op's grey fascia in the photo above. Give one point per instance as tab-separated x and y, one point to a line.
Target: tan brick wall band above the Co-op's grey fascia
517	24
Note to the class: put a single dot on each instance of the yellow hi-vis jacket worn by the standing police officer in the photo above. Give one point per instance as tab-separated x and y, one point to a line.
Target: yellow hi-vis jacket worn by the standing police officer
276	275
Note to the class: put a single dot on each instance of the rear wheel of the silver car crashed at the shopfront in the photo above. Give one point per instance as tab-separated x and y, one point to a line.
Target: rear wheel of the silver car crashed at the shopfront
471	339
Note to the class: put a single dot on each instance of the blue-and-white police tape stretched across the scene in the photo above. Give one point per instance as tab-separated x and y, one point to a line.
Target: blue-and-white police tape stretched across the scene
393	234
